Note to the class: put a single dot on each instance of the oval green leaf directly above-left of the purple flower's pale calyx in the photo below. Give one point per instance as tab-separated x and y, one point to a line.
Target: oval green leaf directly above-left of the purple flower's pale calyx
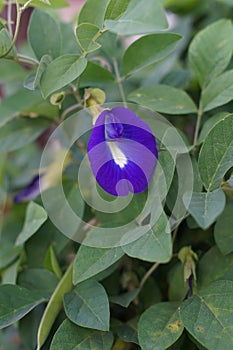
61	72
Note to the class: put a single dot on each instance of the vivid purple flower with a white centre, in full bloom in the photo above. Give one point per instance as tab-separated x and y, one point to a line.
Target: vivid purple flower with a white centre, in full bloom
122	152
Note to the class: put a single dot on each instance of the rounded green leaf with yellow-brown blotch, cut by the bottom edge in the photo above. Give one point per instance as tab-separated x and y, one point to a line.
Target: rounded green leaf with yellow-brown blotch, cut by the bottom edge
159	326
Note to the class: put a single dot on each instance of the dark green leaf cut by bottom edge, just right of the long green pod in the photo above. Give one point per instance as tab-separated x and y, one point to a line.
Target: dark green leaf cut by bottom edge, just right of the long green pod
71	337
